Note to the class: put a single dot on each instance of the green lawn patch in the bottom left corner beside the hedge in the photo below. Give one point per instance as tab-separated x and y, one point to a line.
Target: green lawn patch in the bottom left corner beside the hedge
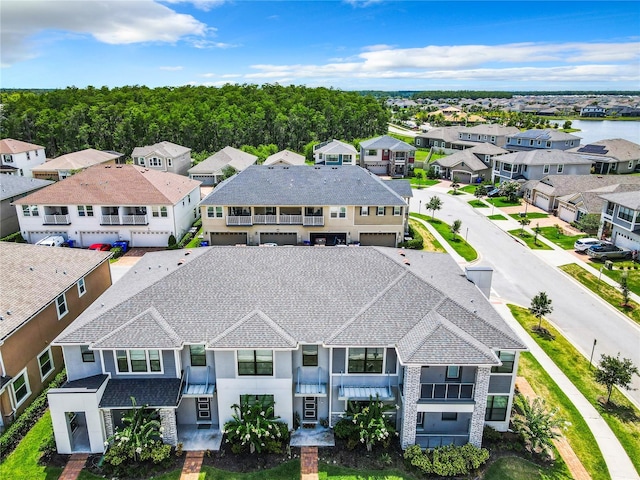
23	461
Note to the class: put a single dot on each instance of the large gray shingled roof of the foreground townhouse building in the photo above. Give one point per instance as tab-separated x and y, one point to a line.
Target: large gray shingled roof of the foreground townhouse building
234	297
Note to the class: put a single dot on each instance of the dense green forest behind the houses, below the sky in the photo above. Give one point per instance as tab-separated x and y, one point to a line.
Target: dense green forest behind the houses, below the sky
205	119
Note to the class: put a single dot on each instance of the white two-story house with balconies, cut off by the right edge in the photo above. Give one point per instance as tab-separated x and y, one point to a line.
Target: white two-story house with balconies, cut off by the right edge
621	219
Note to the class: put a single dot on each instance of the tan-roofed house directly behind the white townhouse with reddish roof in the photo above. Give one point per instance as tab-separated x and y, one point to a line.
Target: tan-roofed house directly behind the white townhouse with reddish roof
66	165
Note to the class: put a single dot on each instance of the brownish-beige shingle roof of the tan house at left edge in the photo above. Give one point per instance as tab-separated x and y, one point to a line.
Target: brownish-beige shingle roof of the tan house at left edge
33	276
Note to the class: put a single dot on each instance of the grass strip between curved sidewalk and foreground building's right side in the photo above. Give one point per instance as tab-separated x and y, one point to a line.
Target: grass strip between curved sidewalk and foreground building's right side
577	432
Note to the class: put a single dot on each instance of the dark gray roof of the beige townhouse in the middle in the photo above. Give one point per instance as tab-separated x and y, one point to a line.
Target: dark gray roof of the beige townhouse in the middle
303	185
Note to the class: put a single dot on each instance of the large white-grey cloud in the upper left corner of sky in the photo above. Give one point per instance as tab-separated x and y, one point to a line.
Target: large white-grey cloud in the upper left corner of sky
108	21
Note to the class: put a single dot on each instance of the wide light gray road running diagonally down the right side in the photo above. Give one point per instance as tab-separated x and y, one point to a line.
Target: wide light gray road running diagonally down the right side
520	273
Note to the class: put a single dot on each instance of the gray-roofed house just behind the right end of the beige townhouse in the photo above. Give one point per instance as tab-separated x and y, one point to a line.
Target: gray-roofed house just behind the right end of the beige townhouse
386	155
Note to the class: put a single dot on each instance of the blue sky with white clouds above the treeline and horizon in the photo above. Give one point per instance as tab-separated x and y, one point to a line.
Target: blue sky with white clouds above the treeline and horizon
351	45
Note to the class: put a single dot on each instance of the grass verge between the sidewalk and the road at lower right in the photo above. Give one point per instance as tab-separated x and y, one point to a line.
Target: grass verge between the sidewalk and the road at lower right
622	416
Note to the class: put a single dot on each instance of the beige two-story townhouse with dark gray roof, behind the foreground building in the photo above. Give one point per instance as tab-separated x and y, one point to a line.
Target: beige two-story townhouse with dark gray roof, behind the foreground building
299	205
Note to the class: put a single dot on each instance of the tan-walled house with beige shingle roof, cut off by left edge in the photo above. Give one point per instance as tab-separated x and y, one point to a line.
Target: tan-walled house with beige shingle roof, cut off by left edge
43	292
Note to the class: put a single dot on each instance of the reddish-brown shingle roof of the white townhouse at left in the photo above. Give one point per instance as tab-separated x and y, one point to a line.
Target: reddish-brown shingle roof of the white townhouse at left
114	185
